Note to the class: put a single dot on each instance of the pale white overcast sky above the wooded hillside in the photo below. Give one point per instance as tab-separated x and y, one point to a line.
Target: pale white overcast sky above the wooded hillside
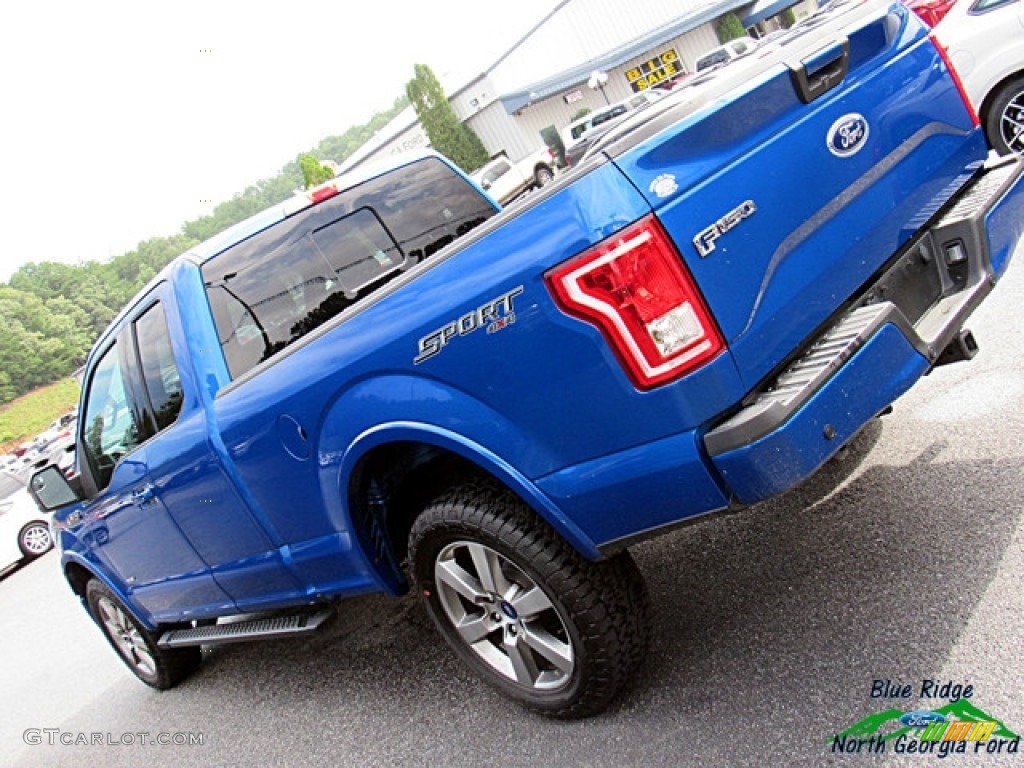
122	119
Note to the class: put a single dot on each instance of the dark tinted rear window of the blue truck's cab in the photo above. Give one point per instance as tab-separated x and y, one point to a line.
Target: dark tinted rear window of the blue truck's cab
271	290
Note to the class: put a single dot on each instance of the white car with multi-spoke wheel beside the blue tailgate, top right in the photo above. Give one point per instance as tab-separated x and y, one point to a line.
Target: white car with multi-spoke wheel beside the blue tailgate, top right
986	44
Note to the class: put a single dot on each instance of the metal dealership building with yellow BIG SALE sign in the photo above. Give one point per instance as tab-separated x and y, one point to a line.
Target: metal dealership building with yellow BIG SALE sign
543	81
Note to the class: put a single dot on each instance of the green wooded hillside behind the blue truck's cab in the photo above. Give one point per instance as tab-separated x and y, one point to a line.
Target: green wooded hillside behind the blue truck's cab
52	313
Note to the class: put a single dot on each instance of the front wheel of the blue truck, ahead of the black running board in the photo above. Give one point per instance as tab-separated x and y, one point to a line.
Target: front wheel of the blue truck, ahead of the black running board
159	668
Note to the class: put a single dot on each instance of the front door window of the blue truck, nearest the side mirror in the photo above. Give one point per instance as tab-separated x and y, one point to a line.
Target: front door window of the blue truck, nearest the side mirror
110	426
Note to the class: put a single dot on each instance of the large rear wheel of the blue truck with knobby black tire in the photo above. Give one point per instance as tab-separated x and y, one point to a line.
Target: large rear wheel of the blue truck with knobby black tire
546	627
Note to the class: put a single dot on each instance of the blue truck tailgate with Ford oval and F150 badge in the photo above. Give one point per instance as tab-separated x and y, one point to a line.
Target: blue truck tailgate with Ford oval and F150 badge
791	181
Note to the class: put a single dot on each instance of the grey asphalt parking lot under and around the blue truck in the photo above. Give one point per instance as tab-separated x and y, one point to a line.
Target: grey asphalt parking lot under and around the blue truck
771	628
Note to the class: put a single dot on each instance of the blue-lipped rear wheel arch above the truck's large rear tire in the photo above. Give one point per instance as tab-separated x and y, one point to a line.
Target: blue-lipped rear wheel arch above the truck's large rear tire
394	472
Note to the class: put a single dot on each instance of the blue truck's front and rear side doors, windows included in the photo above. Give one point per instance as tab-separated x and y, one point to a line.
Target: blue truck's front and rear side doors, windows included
166	521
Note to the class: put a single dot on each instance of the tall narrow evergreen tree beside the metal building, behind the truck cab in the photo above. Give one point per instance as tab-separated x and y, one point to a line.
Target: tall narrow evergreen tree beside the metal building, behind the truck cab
446	133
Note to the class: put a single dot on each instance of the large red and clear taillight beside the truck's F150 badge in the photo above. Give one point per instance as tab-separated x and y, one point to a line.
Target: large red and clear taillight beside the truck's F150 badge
635	289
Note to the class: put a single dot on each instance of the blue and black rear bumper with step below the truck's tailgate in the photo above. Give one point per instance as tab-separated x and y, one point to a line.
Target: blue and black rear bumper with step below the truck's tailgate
891	337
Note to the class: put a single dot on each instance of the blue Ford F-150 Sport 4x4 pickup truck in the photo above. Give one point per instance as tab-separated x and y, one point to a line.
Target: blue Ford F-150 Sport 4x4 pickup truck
389	385
